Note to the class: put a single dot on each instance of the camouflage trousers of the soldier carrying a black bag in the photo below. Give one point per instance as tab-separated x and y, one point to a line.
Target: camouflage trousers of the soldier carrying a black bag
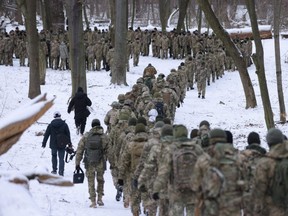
97	171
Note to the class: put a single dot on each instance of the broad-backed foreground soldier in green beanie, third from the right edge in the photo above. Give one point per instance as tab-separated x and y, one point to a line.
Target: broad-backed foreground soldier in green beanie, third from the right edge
219	178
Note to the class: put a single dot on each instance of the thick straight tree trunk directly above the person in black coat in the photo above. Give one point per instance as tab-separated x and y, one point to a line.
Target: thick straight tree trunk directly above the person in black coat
76	47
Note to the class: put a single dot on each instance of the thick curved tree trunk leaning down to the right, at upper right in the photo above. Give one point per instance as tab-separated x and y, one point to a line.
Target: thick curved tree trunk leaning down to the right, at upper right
233	51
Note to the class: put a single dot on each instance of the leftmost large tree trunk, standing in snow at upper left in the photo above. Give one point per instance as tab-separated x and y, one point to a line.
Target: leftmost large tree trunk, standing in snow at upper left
28	8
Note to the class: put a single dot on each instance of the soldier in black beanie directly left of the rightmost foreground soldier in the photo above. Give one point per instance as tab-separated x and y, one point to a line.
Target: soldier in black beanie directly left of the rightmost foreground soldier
251	156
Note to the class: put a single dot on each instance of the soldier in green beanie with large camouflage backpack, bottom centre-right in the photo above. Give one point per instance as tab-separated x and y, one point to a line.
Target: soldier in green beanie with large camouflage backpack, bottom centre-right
168	172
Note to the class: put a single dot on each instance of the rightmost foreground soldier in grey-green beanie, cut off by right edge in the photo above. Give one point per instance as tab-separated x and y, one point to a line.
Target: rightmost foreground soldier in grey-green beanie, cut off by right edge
264	204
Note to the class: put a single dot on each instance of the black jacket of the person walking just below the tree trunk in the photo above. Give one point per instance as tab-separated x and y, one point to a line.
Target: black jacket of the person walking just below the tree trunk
80	102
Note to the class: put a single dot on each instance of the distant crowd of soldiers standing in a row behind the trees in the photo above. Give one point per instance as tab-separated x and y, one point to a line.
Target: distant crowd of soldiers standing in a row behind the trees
54	47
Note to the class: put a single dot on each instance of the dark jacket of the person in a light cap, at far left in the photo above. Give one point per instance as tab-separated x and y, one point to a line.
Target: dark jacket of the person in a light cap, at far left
57	125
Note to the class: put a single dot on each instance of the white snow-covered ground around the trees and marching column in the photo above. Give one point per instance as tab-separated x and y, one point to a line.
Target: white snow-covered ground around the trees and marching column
223	107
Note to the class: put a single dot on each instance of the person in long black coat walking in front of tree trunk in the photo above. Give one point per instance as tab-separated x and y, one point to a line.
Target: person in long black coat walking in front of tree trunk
79	103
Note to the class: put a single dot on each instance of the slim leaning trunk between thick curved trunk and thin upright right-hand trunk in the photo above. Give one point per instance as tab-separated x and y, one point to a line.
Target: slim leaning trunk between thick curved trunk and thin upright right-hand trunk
259	64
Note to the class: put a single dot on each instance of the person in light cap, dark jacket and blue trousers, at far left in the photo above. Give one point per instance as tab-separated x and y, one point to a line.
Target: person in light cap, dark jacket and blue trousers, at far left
57	126
